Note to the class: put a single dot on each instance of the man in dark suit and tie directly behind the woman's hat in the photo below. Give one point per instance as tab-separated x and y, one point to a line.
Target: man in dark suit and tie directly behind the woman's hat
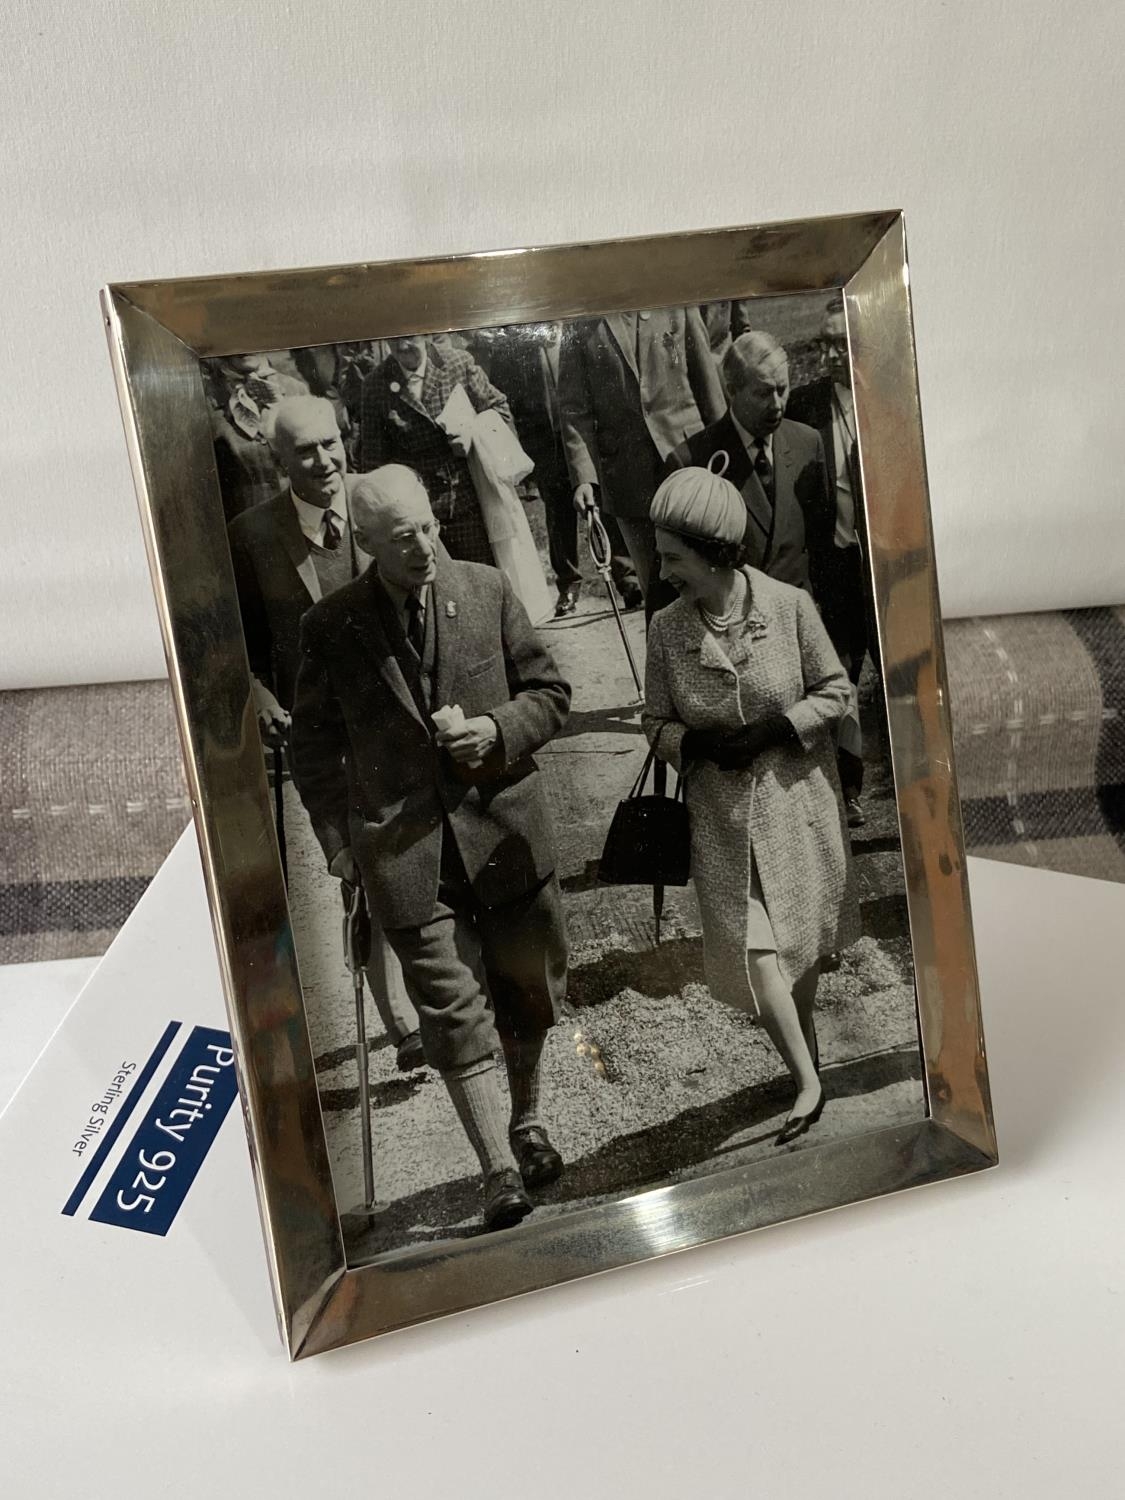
776	464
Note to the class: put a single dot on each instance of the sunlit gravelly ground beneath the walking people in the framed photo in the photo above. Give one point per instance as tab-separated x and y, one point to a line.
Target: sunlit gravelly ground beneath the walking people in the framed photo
650	1081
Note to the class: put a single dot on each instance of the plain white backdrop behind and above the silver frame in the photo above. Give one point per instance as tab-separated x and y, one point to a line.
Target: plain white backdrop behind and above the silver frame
149	140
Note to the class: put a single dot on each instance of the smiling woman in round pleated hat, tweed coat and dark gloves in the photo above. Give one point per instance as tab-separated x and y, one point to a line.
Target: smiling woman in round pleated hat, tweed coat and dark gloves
743	694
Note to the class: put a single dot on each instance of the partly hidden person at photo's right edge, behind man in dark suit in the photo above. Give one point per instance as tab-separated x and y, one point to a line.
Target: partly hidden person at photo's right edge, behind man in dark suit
839	547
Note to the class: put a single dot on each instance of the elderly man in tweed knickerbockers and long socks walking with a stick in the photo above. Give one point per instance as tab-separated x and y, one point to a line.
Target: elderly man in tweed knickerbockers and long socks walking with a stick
422	695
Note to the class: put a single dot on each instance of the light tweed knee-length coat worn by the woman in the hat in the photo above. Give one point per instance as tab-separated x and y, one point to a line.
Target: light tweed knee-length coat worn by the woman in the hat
785	808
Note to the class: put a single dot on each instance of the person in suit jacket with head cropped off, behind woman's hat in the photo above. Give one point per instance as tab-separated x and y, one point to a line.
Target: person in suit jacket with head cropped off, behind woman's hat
632	388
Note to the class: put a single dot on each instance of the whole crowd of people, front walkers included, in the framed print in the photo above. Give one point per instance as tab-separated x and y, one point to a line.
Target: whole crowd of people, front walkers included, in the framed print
395	656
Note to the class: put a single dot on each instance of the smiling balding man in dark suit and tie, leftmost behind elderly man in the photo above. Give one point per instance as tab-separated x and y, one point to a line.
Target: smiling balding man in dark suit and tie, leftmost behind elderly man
289	553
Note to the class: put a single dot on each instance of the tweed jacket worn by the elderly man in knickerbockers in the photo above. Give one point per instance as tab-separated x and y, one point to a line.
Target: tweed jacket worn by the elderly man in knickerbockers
367	764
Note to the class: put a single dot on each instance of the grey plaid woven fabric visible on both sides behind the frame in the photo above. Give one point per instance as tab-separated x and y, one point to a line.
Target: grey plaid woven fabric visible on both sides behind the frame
88	814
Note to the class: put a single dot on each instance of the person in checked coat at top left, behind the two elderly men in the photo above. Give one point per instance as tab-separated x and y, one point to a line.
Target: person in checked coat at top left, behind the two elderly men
400	410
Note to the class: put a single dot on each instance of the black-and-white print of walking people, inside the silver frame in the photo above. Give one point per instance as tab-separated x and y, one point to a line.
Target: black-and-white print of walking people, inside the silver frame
569	689
